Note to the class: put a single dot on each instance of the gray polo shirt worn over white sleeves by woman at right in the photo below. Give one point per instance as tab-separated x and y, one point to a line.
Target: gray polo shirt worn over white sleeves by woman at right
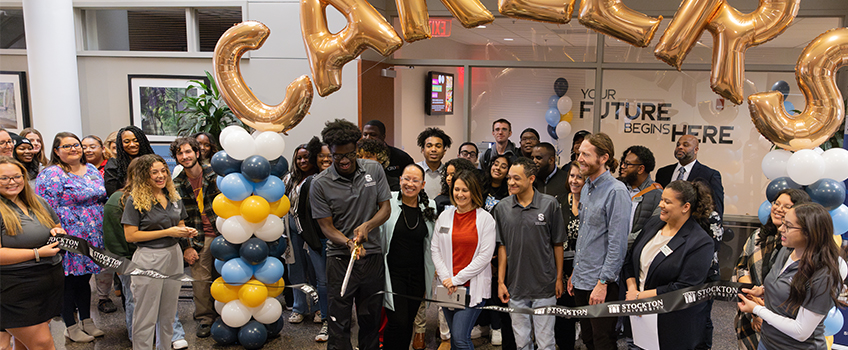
818	300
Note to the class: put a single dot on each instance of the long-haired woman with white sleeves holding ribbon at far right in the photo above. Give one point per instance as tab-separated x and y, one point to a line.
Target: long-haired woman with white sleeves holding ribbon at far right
802	285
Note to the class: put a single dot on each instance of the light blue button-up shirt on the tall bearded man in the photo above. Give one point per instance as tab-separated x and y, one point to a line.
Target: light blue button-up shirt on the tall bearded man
602	237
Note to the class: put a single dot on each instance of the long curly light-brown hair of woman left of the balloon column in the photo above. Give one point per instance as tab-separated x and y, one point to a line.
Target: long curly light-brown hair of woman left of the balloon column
139	185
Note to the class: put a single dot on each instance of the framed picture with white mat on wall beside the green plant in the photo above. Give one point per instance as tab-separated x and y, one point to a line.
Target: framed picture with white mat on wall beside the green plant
155	101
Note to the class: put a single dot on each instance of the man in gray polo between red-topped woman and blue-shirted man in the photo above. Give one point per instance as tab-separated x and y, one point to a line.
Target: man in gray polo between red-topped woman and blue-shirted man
530	233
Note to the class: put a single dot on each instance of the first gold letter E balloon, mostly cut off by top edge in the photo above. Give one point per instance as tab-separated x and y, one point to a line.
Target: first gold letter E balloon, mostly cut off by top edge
552	11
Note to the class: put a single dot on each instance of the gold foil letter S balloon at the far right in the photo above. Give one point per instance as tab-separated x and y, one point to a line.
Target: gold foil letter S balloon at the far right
823	114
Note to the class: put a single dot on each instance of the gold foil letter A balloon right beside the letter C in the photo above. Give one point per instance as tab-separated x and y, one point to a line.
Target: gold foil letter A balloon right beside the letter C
329	52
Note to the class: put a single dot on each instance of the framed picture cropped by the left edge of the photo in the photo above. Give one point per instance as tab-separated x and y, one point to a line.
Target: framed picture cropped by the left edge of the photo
14	104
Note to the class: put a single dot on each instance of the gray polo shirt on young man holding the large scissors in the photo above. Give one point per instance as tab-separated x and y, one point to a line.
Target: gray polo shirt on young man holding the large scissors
350	202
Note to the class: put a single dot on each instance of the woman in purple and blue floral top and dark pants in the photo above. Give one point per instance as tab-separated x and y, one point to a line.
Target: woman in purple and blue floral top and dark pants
75	191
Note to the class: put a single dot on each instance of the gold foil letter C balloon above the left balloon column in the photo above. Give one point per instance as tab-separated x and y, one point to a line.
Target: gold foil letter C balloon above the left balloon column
250	35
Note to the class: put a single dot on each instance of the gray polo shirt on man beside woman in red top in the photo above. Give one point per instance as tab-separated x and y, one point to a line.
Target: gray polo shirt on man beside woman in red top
529	235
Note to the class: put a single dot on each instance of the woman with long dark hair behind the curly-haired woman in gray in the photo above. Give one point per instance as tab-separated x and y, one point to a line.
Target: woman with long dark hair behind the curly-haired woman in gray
131	143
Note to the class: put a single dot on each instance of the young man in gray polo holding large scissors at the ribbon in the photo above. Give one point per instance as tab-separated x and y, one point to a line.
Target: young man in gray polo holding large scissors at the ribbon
350	200
